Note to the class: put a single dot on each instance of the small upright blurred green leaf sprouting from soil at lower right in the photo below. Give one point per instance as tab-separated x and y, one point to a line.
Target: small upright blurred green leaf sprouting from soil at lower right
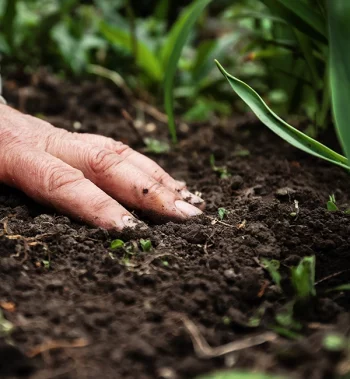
303	278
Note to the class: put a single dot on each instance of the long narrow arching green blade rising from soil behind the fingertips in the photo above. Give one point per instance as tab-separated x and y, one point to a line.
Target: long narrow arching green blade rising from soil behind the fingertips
178	41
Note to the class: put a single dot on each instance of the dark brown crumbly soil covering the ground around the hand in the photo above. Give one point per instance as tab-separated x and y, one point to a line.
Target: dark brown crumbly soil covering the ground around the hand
92	313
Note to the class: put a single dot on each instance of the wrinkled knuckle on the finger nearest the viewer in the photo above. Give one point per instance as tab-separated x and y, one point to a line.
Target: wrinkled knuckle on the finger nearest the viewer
57	178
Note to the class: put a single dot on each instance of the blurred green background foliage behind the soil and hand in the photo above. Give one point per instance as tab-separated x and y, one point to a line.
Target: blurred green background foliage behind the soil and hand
130	42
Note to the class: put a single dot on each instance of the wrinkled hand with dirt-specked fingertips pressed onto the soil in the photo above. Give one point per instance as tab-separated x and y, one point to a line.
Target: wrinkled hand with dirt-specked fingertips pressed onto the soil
85	175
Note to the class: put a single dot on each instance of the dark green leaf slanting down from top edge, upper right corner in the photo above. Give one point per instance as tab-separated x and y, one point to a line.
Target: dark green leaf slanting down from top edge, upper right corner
300	16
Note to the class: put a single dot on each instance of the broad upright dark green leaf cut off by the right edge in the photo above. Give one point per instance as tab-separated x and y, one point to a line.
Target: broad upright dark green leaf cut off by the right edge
339	37
